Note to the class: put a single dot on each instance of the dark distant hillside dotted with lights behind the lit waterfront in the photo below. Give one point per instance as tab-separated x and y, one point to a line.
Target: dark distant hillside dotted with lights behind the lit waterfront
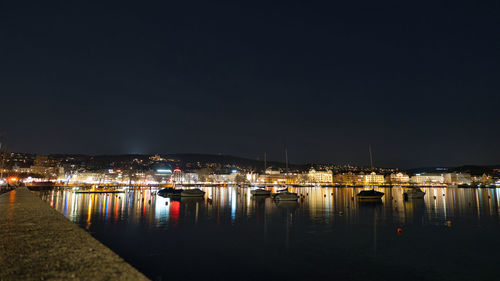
219	162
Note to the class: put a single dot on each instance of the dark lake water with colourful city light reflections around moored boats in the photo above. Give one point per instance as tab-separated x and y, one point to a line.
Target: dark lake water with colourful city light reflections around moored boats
452	234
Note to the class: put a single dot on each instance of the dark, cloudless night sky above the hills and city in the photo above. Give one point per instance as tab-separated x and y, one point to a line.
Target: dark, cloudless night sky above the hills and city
418	81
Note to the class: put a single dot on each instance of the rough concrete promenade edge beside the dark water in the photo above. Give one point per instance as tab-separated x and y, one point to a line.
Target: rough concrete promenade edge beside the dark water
38	243
